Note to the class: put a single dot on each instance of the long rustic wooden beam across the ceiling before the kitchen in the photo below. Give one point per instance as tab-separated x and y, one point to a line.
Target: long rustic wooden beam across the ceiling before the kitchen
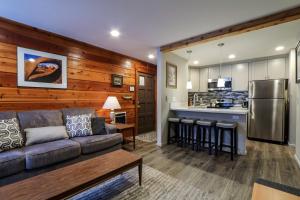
251	25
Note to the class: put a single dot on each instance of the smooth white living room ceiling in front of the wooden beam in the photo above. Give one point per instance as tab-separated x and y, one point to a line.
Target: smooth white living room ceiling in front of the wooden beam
144	24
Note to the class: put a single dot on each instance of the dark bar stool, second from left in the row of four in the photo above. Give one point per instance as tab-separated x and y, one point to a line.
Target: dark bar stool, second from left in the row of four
187	132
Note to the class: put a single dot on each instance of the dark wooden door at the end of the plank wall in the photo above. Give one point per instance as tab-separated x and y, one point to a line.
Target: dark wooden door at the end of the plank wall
146	103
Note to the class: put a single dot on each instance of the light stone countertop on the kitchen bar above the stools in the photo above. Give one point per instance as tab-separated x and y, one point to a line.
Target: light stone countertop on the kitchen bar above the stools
233	110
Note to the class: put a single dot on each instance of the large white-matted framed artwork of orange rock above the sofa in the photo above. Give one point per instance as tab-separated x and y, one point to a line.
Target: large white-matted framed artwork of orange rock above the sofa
41	69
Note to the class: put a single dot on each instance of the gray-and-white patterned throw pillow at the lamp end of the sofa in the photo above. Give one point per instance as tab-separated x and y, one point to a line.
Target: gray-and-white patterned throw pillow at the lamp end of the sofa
79	125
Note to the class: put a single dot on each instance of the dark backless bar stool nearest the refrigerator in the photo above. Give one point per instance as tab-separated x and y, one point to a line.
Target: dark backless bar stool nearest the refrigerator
231	127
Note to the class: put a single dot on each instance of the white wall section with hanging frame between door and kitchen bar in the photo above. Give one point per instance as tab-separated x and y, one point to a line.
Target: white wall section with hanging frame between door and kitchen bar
167	95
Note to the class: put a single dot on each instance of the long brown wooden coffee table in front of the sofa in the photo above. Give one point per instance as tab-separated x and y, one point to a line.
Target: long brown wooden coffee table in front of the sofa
73	179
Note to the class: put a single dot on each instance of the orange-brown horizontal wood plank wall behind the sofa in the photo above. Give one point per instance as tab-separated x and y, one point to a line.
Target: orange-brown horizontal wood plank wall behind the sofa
89	72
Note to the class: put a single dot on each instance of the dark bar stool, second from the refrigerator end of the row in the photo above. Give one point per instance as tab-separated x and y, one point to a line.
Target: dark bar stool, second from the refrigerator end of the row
205	127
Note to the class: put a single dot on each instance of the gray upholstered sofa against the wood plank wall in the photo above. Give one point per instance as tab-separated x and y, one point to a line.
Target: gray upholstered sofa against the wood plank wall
28	161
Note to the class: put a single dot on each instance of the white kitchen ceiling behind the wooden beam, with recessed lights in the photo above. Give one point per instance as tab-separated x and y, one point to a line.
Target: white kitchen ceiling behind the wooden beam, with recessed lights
255	44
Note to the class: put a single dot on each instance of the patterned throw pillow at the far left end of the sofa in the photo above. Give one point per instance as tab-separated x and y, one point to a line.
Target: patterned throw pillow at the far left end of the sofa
10	135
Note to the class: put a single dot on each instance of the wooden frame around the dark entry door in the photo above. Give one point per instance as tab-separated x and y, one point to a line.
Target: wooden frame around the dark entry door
137	96
